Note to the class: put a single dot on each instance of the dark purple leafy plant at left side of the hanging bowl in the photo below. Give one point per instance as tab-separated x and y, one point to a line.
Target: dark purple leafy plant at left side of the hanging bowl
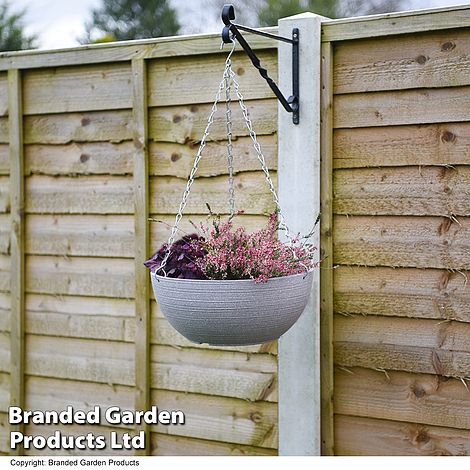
182	262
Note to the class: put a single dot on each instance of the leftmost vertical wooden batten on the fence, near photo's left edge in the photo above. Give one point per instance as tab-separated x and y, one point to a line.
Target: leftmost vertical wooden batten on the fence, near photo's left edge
17	336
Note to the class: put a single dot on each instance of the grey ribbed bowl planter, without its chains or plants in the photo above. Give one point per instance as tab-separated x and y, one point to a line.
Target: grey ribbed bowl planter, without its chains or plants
232	313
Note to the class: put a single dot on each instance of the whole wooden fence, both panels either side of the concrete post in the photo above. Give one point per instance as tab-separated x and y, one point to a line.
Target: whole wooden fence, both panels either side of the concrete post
95	140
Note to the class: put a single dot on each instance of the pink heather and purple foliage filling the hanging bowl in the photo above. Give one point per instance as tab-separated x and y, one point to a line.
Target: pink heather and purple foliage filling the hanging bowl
222	251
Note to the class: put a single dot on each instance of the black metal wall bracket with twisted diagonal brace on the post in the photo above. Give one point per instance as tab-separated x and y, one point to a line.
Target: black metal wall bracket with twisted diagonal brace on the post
232	30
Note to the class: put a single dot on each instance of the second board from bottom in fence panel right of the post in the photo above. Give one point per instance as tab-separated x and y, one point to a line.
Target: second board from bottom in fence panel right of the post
402	396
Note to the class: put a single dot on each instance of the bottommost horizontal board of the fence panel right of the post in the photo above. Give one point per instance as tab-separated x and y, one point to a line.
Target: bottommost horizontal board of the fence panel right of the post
366	436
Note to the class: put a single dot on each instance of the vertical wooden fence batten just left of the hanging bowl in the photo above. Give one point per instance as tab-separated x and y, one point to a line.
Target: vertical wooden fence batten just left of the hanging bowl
141	213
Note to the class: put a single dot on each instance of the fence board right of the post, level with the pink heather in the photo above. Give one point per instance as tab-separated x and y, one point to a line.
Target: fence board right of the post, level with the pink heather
421	242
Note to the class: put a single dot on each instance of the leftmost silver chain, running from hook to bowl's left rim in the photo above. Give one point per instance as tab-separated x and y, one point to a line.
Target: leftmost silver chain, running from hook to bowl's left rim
197	159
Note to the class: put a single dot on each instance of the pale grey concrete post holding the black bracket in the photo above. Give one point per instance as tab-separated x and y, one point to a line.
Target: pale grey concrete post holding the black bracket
299	193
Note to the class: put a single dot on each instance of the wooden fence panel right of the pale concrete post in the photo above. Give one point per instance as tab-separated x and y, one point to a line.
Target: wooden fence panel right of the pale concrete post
401	233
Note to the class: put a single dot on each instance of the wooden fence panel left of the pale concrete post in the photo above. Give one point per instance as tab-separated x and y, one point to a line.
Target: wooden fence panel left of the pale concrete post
108	136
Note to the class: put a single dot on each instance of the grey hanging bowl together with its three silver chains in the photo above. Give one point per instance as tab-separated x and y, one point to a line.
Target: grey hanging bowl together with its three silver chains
231	312
